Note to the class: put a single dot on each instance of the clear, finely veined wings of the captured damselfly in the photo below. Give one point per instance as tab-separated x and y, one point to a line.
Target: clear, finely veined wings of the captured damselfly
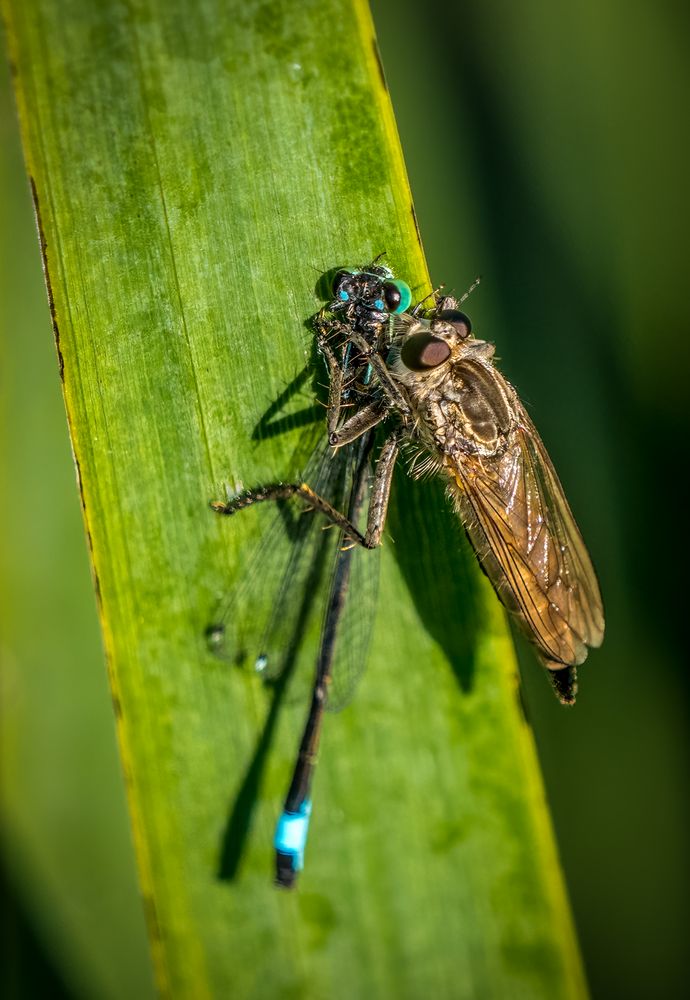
278	609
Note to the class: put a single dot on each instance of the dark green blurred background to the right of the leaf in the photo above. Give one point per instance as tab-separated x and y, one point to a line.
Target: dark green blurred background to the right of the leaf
547	148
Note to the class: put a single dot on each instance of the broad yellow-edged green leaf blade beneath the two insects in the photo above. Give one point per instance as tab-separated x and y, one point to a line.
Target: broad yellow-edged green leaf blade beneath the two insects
195	168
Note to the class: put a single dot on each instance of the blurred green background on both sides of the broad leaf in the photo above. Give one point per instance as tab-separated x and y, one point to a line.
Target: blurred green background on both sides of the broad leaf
548	151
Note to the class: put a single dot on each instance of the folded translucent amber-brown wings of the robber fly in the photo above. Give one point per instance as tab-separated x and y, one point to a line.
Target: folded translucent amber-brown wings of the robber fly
520	524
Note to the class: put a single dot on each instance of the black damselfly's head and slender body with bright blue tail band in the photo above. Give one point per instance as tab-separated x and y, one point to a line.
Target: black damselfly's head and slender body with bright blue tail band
363	299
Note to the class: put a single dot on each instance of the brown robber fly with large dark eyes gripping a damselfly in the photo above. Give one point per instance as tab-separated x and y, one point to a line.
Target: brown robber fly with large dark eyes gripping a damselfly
465	421
